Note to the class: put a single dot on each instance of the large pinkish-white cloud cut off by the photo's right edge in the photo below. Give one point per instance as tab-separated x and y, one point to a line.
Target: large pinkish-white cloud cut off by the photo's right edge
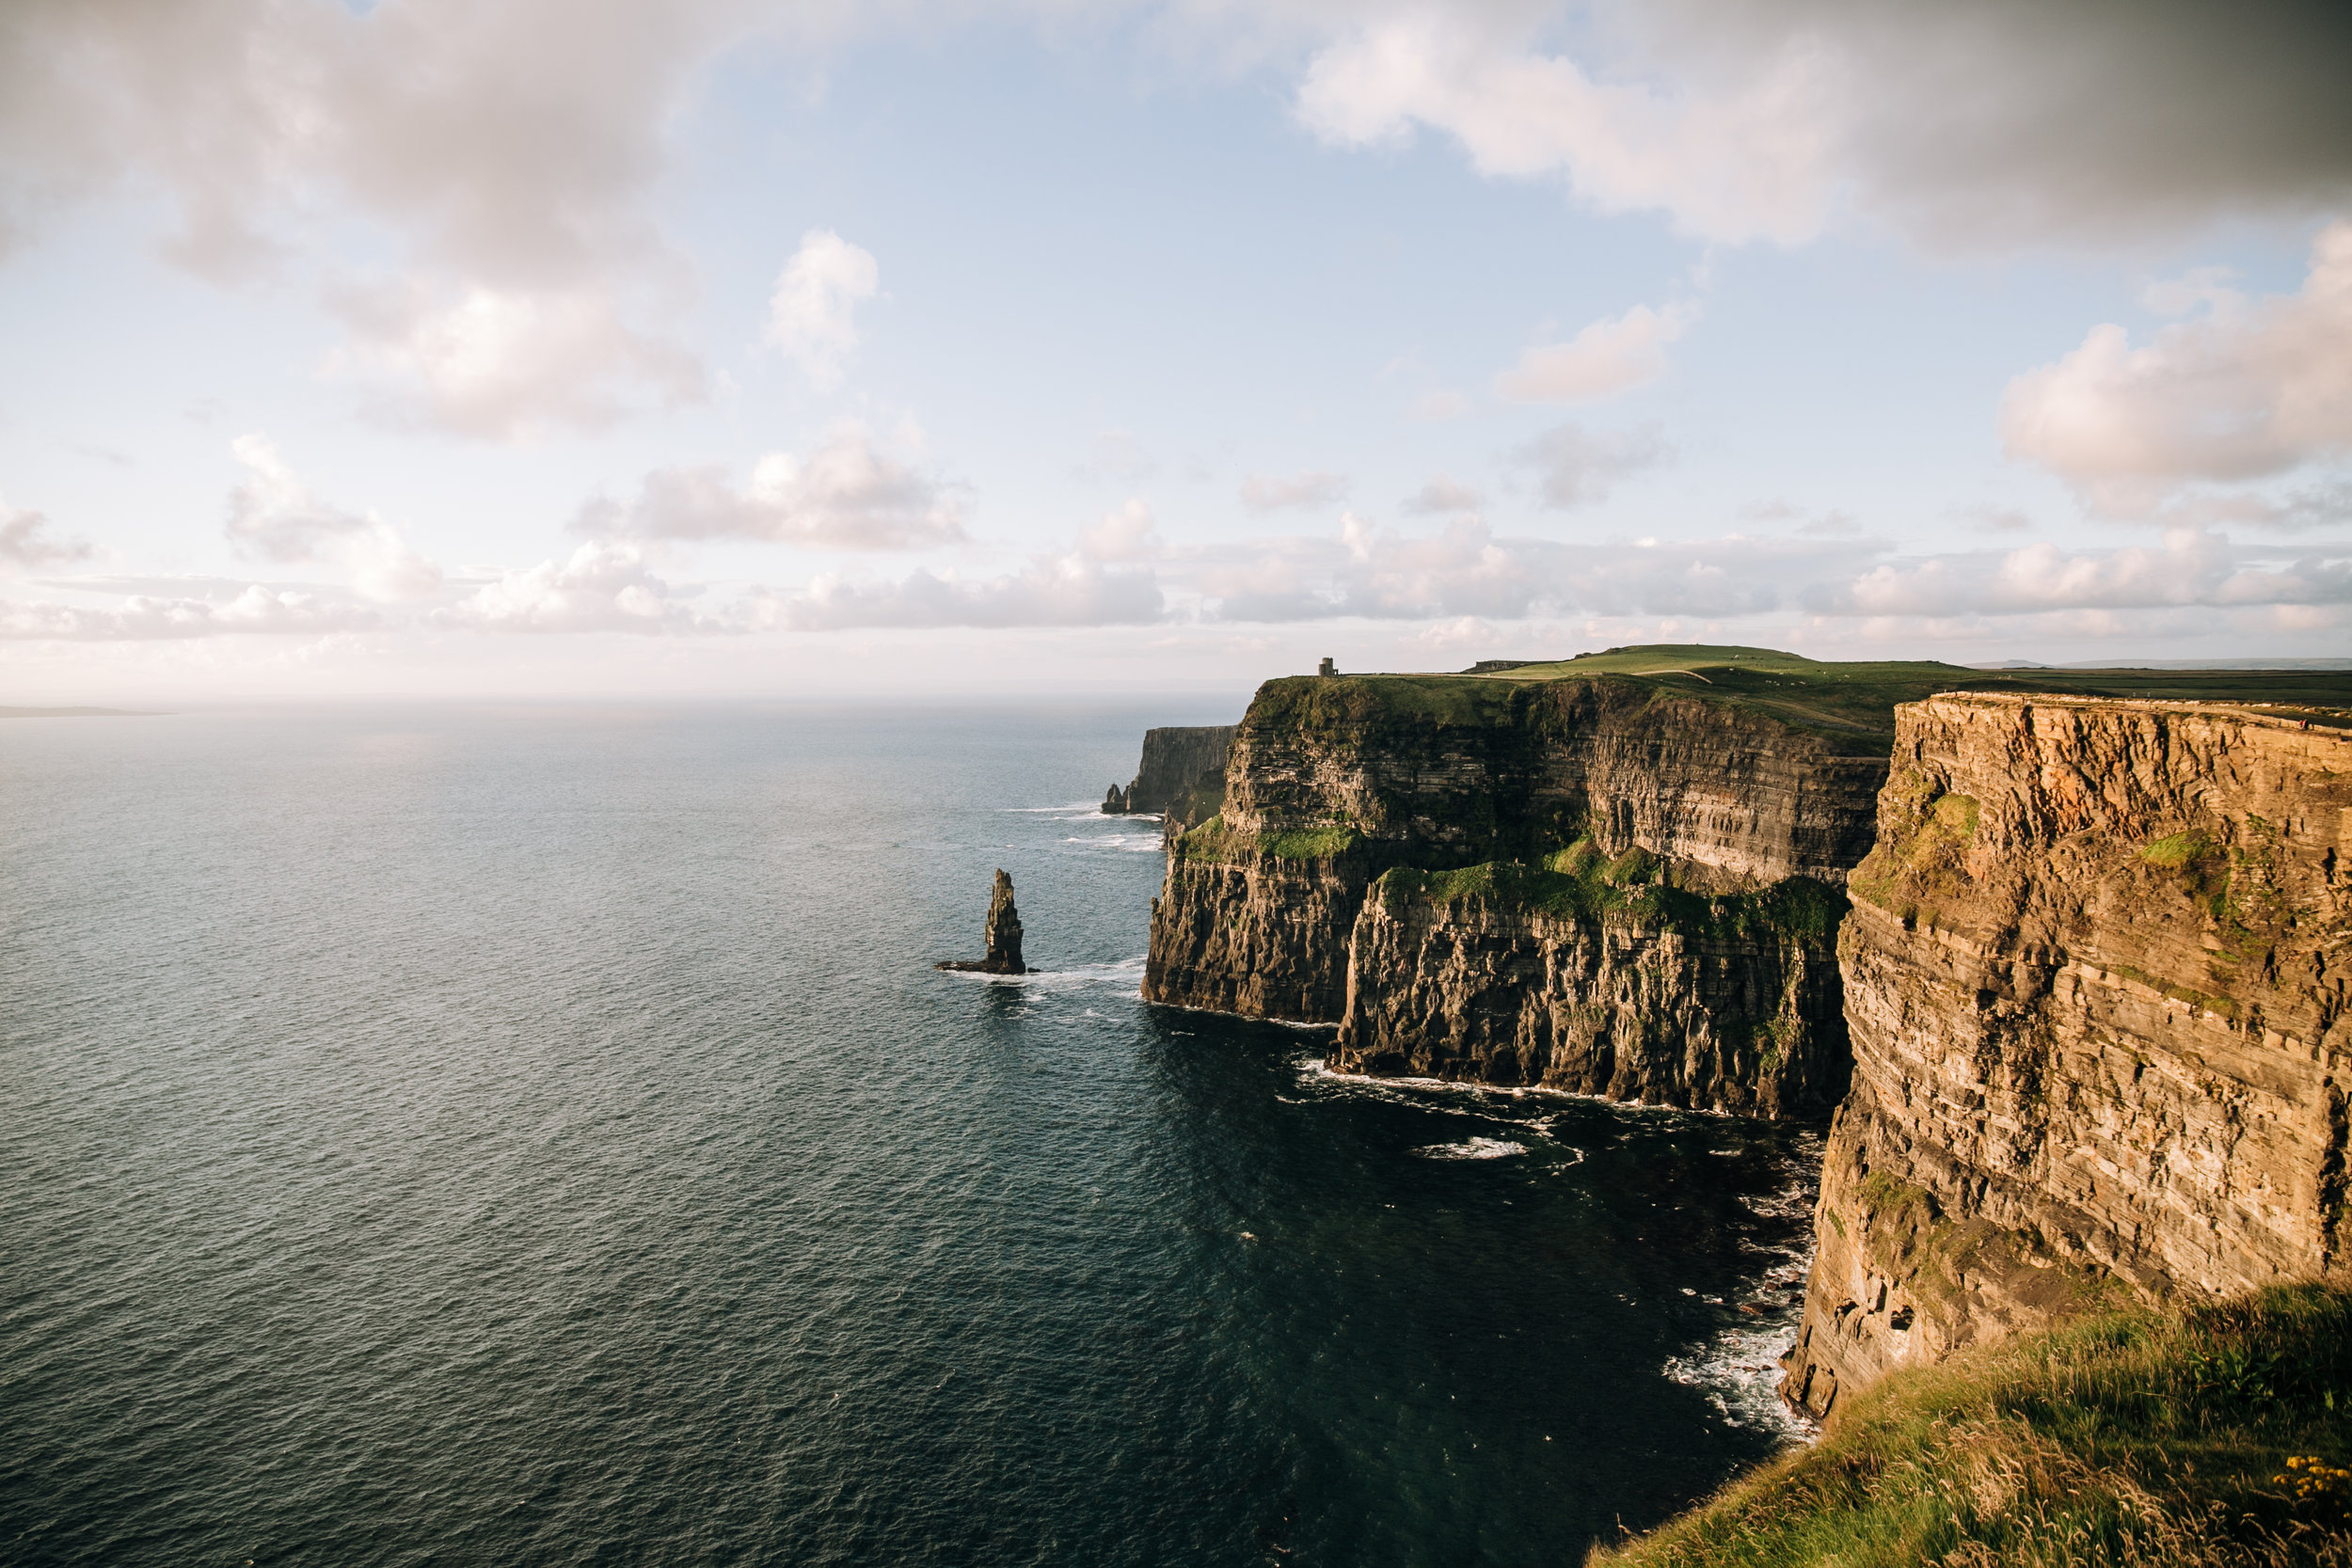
2247	391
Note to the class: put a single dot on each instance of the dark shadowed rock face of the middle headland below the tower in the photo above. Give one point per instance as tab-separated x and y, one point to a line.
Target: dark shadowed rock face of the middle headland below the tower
1664	981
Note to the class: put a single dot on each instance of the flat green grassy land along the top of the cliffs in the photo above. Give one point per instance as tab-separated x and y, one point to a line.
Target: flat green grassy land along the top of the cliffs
1843	699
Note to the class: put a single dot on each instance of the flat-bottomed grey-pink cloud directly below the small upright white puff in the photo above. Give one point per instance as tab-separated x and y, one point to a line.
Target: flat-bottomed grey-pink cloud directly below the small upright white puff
848	495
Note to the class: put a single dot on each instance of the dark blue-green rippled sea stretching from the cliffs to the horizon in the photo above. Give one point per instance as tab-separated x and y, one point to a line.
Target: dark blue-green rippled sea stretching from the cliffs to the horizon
537	1137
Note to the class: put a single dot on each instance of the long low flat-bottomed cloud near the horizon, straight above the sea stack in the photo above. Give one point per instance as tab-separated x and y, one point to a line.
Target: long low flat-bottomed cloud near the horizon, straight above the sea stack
1057	591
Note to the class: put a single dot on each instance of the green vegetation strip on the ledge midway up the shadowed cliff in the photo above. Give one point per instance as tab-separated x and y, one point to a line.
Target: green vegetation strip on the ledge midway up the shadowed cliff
1582	885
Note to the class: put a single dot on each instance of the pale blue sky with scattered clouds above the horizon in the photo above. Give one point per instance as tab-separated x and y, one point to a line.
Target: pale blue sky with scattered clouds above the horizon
947	347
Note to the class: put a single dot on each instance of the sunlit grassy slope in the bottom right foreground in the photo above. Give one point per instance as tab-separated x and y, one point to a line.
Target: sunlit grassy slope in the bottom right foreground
2212	1438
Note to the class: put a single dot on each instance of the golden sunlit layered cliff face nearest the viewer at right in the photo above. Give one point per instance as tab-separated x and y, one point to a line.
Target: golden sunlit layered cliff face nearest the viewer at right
2097	996
